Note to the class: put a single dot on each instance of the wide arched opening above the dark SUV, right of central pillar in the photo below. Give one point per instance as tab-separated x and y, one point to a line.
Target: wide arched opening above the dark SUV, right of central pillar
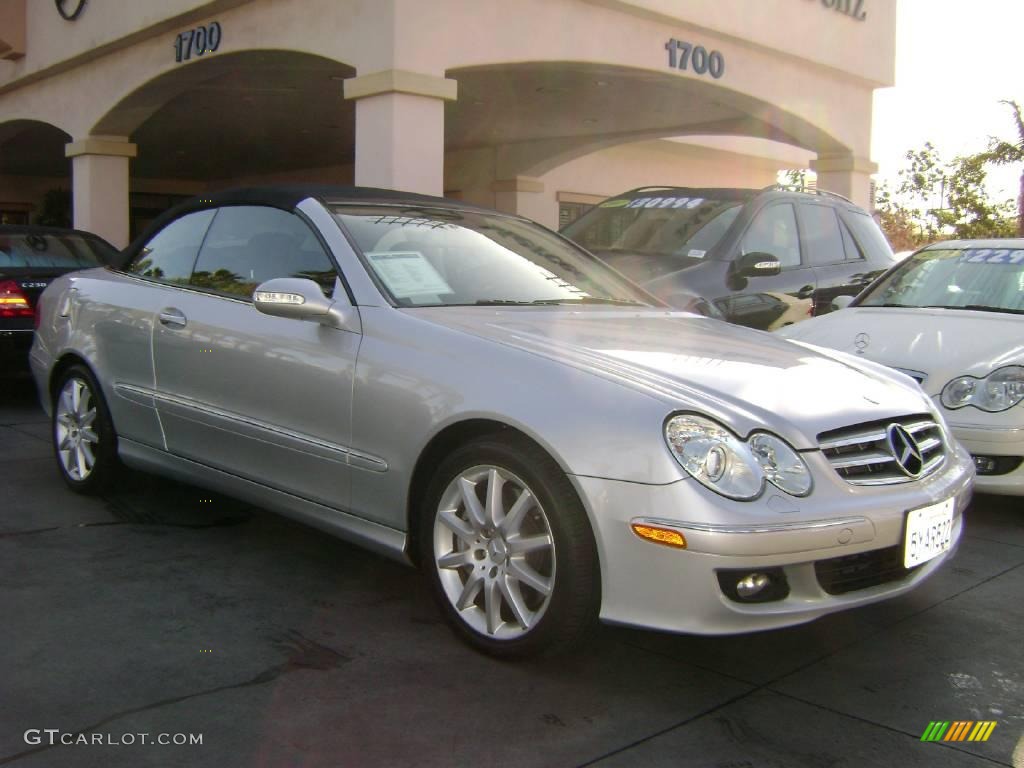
520	130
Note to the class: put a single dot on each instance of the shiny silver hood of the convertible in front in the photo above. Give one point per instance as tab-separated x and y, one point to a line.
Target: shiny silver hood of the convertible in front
747	379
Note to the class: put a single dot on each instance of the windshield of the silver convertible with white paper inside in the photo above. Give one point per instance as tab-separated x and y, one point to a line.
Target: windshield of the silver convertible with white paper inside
433	258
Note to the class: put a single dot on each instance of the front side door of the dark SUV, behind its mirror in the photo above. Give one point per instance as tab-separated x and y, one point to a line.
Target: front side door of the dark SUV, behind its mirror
775	231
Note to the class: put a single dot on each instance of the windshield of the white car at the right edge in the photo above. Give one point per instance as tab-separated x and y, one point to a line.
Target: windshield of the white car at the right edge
982	279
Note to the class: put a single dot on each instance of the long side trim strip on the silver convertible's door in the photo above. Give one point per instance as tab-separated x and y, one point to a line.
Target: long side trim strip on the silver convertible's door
216	417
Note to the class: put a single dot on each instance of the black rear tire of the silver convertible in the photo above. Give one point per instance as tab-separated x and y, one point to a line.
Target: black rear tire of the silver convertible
106	465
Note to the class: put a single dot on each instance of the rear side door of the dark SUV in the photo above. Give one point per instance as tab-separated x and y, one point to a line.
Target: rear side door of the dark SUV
839	264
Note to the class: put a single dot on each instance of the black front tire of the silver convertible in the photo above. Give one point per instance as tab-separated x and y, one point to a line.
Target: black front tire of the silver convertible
572	609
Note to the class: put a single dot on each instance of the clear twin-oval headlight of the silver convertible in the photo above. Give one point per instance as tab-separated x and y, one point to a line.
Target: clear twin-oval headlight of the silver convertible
735	468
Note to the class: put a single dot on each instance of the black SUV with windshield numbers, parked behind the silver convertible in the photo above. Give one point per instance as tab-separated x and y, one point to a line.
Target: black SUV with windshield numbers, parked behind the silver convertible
765	258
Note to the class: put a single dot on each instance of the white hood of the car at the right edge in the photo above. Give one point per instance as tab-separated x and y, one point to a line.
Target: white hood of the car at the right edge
940	344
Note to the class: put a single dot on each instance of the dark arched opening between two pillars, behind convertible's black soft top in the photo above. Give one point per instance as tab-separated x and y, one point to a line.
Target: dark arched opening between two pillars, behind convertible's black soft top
251	117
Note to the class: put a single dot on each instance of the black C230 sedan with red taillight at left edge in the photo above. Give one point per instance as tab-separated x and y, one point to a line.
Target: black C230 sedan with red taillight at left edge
30	259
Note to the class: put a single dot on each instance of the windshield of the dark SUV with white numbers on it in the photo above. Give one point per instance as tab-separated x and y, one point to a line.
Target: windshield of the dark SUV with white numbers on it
675	226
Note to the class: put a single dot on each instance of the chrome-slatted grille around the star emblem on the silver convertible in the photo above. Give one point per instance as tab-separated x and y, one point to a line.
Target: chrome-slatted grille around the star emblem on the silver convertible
863	455
